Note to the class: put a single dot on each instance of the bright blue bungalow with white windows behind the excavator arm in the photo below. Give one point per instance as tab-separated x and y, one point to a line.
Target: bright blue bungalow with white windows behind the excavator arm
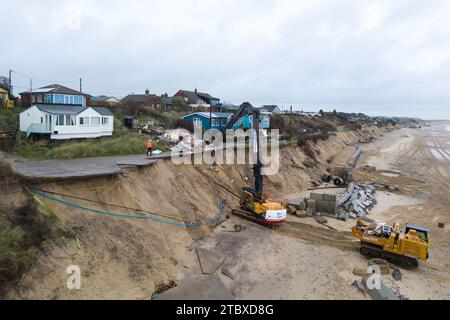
219	120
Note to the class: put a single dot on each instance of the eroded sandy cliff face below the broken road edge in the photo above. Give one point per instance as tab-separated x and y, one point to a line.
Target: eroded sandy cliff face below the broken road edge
123	258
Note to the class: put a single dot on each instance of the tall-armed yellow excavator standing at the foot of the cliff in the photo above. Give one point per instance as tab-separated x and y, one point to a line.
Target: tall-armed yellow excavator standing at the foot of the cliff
254	206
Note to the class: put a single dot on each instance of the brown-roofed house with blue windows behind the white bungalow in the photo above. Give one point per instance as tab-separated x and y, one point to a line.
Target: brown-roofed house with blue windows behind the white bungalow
55	94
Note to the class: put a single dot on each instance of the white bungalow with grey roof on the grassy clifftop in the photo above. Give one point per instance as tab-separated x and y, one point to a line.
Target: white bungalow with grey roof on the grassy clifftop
66	122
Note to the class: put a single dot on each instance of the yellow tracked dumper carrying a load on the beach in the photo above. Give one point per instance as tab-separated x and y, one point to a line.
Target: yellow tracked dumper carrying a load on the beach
400	248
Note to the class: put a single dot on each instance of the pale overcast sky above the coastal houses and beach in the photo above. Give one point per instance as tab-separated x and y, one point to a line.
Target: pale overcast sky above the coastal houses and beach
377	57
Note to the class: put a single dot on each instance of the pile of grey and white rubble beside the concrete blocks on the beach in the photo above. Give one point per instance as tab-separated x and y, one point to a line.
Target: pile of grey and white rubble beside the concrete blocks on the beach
356	201
